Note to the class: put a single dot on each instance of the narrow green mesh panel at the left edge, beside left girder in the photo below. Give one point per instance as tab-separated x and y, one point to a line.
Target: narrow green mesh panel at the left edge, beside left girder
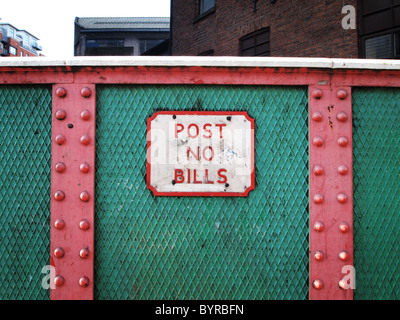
25	160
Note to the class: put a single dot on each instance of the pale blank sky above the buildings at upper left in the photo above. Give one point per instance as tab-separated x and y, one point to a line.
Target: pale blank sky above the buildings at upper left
52	21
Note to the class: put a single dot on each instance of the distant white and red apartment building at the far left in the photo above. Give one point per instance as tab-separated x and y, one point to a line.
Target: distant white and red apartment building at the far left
18	43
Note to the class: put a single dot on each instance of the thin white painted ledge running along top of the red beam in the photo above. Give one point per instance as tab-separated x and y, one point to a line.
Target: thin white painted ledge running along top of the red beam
189	61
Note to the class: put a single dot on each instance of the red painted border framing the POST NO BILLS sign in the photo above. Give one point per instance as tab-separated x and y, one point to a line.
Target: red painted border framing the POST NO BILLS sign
201	194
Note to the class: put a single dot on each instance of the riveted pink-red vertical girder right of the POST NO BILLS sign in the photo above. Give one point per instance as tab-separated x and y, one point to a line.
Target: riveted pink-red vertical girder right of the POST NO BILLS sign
331	194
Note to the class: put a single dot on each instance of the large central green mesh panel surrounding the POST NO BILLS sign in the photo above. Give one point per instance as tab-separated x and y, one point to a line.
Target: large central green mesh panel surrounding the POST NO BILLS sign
199	247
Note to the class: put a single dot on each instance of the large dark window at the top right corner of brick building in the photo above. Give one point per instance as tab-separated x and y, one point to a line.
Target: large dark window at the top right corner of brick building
380	29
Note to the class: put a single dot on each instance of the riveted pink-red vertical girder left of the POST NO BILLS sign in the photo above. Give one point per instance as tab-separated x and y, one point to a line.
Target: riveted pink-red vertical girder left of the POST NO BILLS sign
72	191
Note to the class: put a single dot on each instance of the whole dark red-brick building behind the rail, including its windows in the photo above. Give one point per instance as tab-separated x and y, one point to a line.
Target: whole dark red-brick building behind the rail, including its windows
290	28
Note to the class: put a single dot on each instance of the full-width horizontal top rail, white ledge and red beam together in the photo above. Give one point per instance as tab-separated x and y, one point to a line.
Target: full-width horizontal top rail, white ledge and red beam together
202	70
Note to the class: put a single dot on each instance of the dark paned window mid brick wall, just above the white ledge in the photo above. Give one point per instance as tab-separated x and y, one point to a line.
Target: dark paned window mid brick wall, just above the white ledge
256	43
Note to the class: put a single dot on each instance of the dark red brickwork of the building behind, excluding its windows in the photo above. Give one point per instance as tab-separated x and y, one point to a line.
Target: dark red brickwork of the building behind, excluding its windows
299	28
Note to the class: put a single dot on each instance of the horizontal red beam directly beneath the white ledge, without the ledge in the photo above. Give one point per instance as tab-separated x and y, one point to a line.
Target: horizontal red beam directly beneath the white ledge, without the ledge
199	75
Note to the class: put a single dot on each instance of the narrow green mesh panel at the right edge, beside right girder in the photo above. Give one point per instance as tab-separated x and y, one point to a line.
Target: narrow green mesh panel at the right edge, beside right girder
376	156
